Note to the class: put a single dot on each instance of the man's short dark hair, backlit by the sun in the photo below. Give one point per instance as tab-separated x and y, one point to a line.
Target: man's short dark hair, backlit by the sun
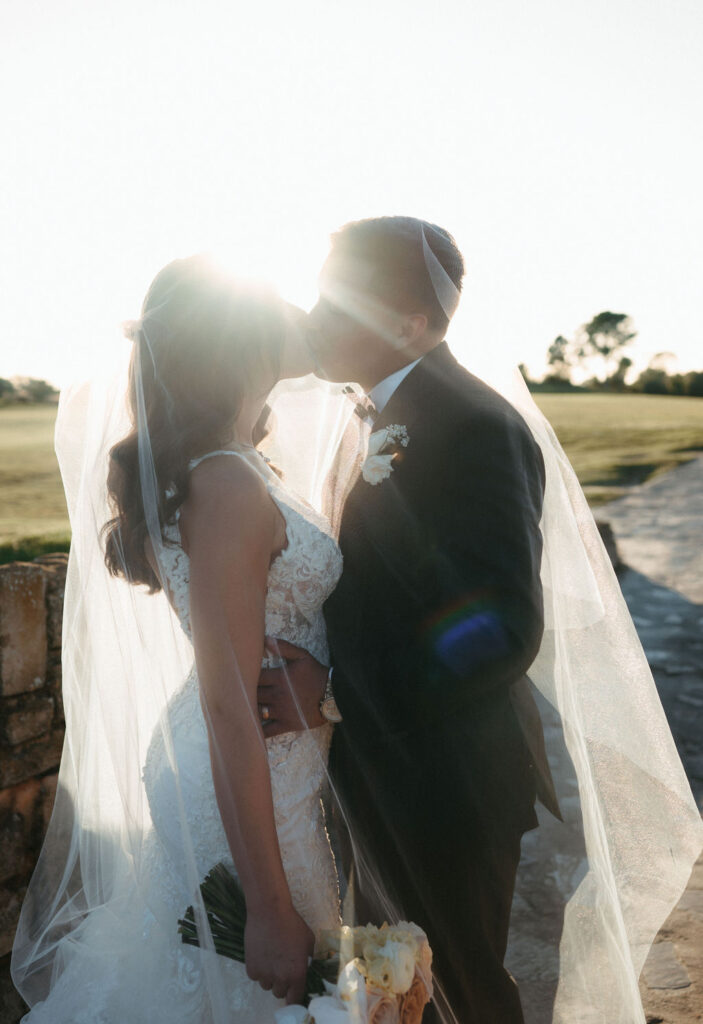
393	249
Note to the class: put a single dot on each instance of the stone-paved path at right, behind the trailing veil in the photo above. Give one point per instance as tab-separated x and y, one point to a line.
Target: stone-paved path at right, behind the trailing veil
658	529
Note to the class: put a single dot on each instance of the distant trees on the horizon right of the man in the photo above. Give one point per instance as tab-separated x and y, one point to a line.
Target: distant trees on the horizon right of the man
600	355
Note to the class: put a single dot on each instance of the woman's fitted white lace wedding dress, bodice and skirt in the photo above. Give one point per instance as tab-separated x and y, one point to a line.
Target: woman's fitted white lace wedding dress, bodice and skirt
133	967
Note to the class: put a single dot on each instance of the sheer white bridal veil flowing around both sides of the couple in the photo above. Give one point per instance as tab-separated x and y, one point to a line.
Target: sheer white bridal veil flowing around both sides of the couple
614	868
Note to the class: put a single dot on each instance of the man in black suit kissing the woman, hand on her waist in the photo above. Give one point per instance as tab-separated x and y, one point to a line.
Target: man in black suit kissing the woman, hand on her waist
435	622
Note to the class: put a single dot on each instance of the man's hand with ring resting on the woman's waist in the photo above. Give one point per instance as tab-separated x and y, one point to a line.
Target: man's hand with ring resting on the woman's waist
289	698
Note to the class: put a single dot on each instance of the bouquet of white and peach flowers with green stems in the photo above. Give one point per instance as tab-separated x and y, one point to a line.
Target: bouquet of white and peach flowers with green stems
364	975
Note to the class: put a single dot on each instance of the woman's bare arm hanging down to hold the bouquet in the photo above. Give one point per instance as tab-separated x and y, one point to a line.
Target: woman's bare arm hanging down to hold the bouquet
232	529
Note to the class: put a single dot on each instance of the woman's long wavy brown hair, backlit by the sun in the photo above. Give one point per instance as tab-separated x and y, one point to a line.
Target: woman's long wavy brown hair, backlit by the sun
202	347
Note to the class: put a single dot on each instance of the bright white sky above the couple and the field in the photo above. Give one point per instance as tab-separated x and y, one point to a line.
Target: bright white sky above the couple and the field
560	141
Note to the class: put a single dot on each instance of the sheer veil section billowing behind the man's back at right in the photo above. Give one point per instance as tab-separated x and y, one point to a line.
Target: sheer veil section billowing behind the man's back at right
632	832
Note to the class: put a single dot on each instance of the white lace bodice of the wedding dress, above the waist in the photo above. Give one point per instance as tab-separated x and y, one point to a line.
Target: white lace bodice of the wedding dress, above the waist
301	577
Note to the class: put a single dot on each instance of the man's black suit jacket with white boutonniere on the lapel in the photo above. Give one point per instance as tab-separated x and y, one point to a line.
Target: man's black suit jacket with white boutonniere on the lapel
438	615
